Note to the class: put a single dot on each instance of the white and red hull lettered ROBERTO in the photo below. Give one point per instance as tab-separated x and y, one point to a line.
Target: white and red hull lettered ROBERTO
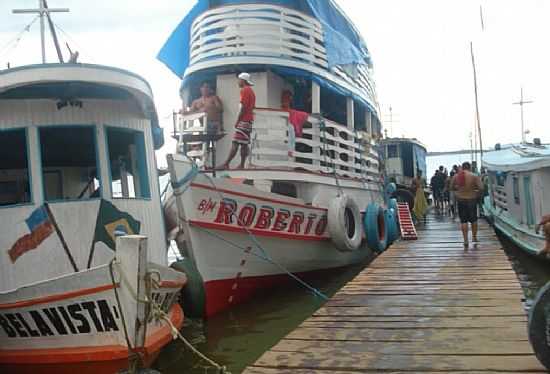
267	237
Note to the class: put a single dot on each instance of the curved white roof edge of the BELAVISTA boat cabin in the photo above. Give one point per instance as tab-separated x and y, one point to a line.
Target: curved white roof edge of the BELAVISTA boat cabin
82	81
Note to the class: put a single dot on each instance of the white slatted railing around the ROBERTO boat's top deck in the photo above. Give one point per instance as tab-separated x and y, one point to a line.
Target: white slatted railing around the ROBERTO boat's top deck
268	34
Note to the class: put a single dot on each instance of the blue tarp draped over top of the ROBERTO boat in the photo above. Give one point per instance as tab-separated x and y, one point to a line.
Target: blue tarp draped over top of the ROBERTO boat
343	43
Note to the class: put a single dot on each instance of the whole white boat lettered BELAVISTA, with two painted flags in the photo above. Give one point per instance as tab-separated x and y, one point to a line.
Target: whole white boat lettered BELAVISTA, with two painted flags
77	168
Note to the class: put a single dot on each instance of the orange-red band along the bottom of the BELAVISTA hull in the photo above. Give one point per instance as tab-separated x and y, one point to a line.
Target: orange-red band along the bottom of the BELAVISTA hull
108	358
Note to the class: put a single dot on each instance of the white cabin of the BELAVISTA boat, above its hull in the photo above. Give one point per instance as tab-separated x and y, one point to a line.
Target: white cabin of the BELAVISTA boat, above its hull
77	140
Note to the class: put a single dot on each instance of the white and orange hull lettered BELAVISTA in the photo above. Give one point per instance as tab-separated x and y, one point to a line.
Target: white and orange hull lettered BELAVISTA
75	324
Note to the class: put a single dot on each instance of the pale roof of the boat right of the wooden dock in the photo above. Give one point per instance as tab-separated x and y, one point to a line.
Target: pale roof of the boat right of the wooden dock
519	157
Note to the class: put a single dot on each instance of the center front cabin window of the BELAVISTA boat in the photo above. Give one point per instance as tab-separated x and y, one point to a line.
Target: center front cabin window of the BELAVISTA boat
69	163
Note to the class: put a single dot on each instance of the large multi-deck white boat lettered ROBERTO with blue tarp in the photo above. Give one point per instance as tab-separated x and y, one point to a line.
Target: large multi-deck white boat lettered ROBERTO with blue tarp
298	204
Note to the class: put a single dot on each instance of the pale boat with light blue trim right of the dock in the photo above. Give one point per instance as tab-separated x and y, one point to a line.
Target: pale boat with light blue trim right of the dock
519	176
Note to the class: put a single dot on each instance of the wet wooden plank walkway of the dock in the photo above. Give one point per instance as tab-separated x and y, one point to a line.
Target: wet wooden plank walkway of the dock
422	306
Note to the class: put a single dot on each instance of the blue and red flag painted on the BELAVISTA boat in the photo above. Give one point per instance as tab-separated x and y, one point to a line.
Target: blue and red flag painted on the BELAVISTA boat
40	227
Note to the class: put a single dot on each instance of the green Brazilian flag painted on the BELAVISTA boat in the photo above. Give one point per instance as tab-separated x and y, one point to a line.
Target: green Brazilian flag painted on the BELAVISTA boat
109	220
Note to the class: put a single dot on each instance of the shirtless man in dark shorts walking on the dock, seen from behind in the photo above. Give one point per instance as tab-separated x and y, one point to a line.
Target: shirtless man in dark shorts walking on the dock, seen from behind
467	187
